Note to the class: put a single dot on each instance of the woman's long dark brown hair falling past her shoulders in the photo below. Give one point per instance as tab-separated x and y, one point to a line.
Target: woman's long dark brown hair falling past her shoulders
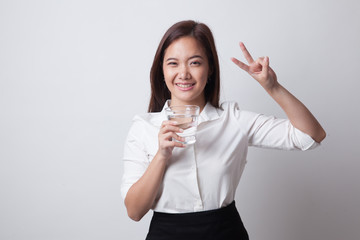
202	33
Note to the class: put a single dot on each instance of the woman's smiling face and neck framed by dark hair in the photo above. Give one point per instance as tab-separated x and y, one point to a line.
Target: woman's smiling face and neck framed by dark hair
186	70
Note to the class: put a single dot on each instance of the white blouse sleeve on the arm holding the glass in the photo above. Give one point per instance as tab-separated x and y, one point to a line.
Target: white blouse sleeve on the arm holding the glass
135	161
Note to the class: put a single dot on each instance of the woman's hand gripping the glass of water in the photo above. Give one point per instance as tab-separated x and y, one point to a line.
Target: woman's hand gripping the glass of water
166	135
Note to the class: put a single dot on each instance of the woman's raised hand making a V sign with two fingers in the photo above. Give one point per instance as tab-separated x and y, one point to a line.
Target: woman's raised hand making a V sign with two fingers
258	69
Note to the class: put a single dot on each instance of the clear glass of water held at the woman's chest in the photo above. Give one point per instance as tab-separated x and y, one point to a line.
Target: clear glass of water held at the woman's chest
187	118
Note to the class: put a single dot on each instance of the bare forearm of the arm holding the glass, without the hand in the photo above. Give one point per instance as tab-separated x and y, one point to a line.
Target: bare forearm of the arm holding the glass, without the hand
142	194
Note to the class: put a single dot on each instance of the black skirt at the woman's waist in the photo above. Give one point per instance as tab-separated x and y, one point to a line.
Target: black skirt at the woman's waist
223	223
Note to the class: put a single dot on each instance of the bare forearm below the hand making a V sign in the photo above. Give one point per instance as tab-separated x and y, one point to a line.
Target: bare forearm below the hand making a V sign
299	116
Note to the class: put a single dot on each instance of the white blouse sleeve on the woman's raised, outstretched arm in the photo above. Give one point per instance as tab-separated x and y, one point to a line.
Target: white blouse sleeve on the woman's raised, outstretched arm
271	132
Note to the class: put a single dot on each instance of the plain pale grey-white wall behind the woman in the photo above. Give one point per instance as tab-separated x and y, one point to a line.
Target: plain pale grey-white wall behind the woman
74	73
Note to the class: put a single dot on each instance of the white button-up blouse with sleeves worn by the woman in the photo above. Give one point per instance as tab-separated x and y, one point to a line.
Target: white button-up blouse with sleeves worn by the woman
205	175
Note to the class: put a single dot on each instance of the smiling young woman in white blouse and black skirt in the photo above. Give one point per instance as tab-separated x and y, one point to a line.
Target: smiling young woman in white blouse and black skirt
192	188
